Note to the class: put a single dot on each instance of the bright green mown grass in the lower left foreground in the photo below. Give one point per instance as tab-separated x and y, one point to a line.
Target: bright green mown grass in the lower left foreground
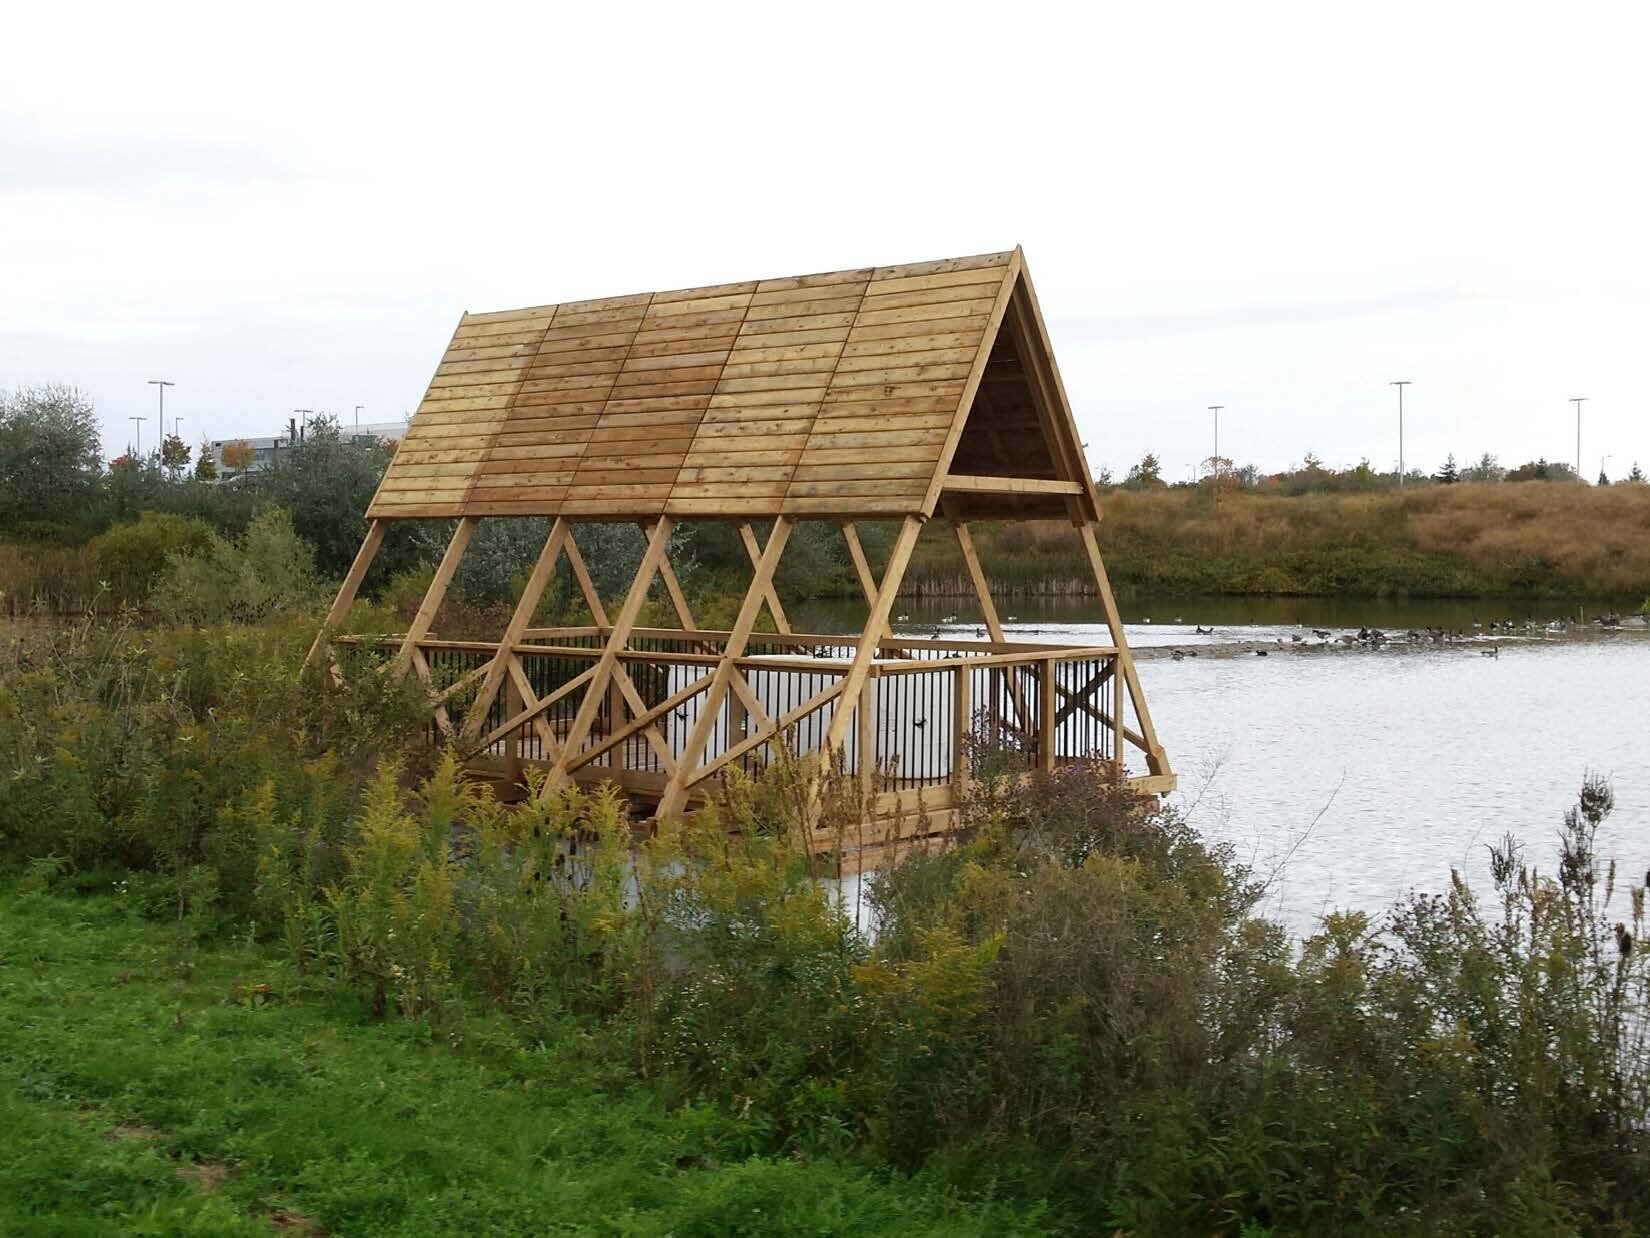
151	1085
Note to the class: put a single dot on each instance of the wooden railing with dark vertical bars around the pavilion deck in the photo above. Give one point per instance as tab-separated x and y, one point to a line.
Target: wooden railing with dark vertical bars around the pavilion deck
931	716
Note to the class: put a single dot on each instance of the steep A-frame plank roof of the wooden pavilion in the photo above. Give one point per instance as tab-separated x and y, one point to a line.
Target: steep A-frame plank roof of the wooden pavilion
854	394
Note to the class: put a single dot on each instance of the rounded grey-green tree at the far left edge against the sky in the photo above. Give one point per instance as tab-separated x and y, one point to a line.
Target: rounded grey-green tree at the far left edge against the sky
50	455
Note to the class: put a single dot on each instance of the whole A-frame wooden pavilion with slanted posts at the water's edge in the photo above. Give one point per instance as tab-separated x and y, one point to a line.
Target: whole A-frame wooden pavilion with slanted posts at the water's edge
902	395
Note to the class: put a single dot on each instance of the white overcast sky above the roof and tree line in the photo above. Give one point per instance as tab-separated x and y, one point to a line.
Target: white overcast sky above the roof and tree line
1271	207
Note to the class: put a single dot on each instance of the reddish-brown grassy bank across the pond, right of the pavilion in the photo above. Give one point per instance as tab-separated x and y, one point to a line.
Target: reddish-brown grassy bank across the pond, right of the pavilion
1469	541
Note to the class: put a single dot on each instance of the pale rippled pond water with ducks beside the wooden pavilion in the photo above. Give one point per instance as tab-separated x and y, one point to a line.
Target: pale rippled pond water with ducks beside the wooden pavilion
1355	775
